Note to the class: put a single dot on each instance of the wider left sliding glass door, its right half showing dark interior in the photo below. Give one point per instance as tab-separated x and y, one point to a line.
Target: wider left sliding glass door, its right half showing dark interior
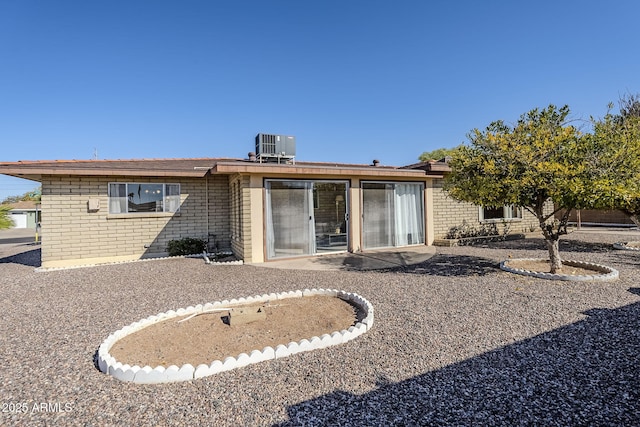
305	217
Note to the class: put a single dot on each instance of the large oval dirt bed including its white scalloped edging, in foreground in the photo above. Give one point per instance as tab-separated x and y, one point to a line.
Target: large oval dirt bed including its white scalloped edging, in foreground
200	341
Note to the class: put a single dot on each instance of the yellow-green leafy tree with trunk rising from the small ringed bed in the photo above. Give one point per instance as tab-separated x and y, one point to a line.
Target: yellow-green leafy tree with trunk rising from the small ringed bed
539	159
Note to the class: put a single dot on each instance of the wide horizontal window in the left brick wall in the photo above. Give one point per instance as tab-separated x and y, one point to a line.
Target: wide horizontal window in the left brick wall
143	197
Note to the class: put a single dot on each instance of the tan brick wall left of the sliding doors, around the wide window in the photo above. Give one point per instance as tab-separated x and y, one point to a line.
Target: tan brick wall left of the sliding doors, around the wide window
73	235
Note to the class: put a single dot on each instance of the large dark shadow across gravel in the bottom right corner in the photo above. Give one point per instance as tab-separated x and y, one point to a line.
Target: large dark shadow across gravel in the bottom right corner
586	373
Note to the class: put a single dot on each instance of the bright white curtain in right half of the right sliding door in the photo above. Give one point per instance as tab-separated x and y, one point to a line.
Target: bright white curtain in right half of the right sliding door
409	223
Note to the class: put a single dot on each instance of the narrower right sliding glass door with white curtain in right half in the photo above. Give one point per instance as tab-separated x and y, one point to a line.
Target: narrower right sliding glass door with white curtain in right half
393	214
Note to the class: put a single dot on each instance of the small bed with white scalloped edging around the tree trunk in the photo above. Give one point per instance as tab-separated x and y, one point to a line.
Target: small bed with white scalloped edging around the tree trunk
577	271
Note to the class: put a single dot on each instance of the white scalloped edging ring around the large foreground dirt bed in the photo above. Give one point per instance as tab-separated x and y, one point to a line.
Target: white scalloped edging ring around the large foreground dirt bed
148	375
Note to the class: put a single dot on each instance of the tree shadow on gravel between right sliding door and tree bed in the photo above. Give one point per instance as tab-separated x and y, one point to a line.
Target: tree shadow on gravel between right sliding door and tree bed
451	265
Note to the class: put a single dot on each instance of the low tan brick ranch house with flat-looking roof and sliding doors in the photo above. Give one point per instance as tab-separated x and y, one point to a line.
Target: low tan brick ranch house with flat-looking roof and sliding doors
113	210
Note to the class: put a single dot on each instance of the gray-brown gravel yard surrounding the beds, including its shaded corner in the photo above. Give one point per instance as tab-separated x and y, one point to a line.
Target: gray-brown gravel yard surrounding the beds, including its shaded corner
456	342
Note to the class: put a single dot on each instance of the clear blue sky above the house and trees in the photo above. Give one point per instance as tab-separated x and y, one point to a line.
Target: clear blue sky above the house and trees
352	80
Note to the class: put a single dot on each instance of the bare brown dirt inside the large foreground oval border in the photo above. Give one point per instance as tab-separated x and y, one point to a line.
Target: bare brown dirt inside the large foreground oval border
208	337
